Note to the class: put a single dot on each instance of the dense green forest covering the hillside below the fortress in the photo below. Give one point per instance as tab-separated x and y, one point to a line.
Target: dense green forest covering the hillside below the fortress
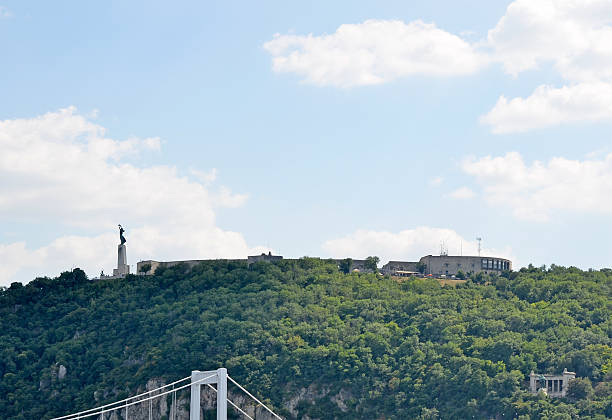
341	346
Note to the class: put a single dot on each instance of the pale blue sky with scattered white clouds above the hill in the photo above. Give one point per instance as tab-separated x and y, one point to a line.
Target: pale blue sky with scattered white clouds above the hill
332	129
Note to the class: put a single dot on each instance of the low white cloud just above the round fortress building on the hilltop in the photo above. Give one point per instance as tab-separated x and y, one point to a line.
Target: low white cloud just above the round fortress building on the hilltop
407	245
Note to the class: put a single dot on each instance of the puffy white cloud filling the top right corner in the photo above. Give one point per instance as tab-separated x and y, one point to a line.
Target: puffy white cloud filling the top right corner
574	36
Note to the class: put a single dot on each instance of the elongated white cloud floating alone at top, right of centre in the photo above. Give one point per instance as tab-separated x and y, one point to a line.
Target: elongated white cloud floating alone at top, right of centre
374	52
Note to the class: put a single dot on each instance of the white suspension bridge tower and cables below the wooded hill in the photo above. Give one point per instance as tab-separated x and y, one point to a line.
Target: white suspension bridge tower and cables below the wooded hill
197	379
